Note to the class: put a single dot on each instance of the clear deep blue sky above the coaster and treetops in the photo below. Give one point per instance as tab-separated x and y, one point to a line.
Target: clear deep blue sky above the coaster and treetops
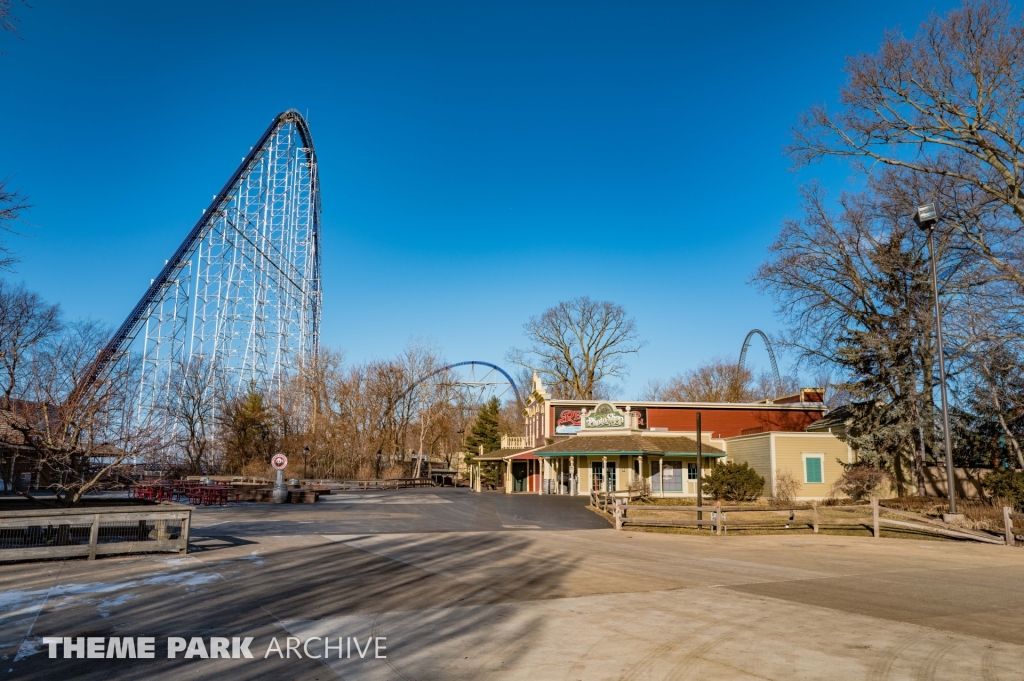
480	161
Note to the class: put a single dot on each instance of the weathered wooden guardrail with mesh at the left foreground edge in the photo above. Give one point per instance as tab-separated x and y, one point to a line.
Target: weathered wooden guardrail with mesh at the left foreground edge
92	532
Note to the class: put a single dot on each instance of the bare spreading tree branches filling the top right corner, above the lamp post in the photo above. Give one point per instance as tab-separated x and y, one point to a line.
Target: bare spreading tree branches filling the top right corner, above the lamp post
946	104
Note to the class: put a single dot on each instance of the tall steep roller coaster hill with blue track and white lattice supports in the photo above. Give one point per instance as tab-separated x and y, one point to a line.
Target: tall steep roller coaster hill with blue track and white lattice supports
243	290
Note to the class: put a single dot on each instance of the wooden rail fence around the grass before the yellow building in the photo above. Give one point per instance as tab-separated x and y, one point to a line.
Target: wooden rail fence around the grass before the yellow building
718	520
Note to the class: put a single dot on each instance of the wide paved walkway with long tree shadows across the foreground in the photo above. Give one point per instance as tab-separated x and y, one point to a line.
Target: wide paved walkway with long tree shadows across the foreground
461	589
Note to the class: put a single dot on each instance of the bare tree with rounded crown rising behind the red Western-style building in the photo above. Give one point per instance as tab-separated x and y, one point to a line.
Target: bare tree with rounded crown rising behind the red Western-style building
580	345
